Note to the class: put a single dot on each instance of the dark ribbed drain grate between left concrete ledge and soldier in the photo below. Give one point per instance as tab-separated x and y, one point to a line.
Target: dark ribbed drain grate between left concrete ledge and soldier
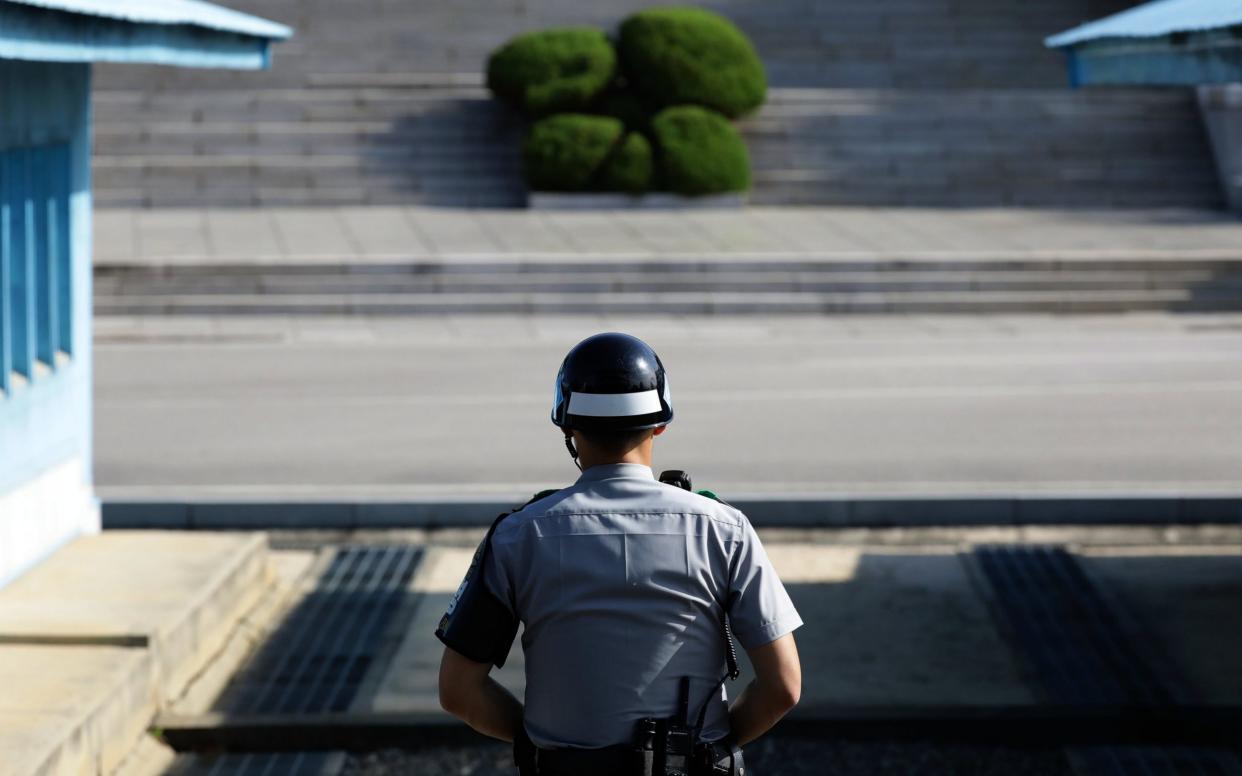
319	657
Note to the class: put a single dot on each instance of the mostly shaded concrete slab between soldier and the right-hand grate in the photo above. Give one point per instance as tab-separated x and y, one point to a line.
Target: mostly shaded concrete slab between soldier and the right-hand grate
895	629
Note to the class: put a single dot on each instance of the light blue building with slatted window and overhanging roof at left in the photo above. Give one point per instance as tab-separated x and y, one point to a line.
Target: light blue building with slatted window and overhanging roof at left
47	50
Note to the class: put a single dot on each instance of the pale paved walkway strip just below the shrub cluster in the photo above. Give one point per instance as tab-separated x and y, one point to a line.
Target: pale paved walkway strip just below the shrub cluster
401	234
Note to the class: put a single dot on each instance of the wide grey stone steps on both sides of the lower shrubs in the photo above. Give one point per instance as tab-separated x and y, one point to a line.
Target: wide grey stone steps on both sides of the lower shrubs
342	146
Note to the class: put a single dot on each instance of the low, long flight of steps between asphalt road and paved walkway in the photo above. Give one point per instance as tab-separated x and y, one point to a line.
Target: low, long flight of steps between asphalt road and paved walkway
686	286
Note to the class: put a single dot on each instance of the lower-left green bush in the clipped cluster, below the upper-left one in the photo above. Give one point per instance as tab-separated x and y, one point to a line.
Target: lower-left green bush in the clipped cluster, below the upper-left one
566	152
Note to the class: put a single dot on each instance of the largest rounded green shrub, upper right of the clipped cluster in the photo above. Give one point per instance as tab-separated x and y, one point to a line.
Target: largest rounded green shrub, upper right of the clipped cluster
690	56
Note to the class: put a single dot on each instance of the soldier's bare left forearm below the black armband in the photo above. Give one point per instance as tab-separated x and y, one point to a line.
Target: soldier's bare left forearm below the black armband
470	693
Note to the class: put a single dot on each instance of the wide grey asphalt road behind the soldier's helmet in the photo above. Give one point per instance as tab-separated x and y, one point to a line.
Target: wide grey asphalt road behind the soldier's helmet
905	405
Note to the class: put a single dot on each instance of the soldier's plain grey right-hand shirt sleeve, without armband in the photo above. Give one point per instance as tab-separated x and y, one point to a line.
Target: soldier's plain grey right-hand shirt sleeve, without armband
761	610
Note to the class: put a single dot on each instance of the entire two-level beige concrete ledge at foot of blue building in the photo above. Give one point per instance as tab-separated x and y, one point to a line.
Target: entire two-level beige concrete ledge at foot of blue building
110	630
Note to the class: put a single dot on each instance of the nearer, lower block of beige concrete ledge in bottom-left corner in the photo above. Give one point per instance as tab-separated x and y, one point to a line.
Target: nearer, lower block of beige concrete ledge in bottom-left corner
69	710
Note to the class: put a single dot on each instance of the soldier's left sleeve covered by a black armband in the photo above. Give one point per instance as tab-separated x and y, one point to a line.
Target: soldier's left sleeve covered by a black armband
480	621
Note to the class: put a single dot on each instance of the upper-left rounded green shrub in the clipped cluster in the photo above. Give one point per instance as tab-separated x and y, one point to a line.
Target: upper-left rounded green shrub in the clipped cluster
553	71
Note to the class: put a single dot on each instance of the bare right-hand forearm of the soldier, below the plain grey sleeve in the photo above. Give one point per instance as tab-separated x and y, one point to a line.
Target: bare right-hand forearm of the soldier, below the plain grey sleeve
776	690
